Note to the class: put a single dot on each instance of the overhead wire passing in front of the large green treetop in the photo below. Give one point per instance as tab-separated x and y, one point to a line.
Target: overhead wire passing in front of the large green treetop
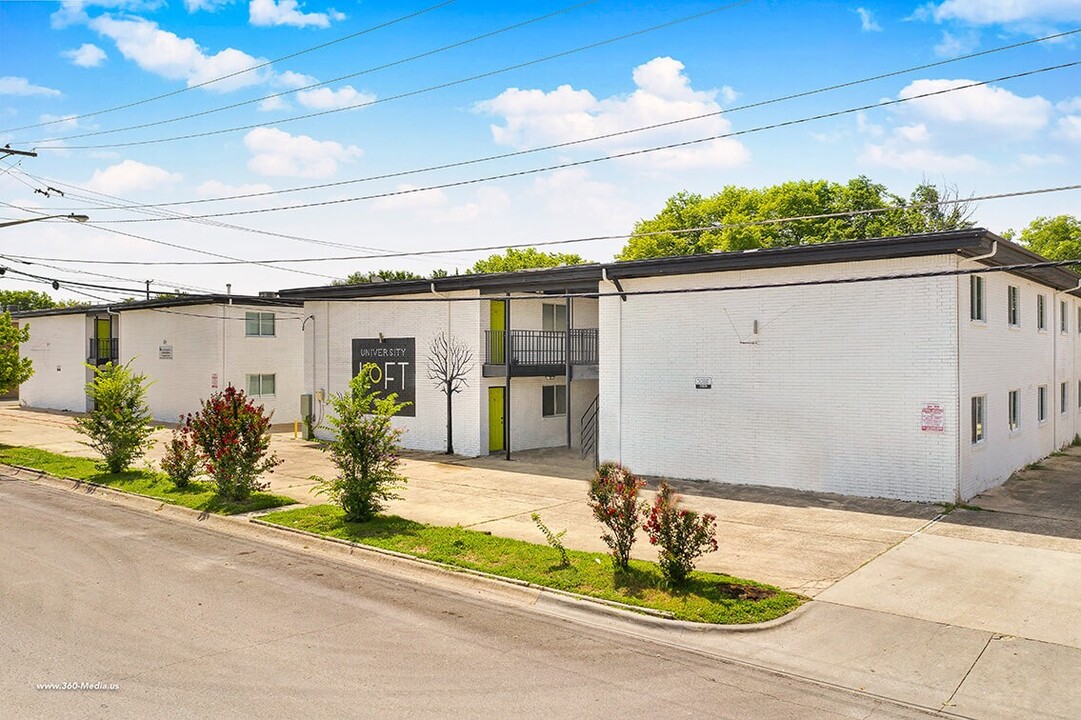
597	238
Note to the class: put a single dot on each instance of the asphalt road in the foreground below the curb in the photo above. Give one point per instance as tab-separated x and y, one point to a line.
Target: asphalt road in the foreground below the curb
189	623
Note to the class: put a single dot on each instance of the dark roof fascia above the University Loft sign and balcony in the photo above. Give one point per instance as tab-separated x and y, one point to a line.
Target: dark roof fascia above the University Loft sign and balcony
569	278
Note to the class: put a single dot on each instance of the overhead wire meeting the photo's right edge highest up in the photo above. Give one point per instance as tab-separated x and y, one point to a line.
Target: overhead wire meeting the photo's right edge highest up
504	156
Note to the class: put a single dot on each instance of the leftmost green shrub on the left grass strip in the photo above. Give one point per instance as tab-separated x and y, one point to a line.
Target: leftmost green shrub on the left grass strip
119	425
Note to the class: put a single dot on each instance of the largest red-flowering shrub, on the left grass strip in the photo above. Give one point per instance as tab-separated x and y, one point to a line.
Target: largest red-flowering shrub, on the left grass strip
234	437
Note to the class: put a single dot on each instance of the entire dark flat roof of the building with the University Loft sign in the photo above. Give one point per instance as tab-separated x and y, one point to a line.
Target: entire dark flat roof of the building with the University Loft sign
584	278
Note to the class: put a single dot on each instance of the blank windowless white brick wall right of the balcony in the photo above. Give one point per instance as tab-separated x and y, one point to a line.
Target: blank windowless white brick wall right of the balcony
828	399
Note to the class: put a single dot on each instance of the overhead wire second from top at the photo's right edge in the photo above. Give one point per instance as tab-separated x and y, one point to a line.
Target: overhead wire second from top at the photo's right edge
617	156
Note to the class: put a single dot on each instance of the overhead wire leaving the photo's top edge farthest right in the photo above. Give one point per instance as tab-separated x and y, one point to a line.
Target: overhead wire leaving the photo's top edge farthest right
411	94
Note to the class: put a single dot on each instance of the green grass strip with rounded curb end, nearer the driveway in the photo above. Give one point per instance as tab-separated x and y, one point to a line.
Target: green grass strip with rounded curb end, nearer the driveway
709	598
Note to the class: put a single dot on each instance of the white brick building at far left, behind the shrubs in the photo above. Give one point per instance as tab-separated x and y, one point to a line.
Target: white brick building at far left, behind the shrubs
190	346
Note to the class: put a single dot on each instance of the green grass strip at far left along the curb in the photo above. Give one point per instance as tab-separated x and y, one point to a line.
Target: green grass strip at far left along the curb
198	496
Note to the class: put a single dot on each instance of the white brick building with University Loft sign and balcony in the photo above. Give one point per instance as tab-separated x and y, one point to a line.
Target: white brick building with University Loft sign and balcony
845	381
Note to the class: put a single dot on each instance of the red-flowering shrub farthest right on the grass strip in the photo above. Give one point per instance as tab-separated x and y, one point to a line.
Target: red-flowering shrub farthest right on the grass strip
684	536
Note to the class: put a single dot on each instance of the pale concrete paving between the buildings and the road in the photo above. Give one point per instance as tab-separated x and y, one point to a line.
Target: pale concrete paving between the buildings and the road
975	614
